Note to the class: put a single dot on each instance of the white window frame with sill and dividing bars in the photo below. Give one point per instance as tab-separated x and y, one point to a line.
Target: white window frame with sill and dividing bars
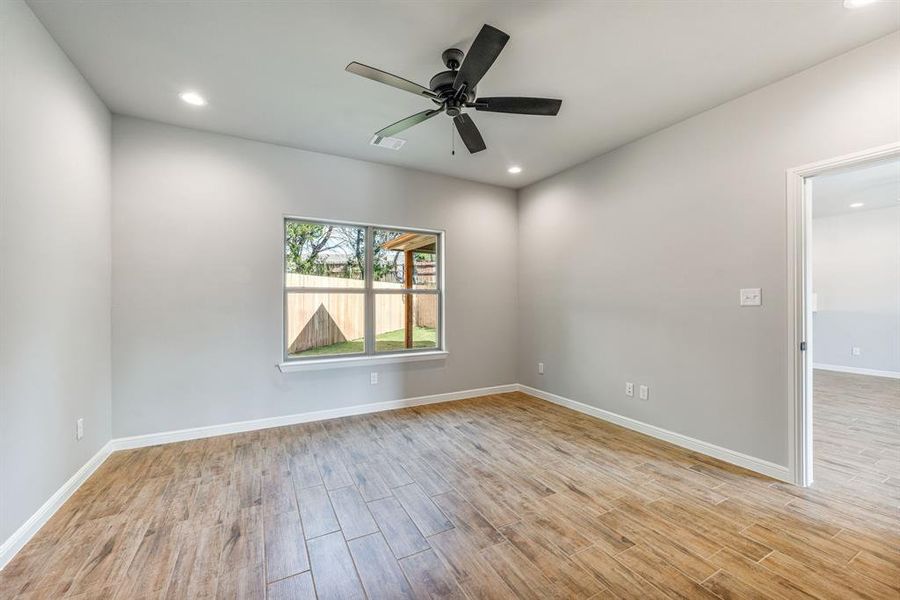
369	356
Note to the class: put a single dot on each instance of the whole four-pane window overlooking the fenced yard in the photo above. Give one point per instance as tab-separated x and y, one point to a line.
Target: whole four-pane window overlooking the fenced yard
360	290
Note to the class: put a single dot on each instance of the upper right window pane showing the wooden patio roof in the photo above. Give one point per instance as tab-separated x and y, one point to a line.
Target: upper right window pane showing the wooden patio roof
394	249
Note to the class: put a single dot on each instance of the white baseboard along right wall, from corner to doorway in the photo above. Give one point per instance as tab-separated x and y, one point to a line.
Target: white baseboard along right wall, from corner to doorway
758	465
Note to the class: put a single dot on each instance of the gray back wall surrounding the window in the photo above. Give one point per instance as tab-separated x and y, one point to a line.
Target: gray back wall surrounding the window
197	297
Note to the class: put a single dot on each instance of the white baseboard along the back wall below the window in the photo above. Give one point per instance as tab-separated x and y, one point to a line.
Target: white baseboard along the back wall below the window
180	435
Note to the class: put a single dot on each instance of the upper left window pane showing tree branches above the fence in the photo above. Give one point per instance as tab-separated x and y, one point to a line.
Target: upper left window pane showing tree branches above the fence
322	255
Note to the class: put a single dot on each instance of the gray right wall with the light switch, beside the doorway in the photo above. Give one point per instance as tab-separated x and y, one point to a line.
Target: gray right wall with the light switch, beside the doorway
630	264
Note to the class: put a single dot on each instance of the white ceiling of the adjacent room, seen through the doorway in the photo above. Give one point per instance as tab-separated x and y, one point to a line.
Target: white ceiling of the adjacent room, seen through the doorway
876	185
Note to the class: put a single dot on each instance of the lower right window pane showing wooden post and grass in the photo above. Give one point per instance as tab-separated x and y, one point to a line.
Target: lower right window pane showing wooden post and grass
398	329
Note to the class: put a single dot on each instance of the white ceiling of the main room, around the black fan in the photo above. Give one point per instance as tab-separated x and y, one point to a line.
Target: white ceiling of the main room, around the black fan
274	71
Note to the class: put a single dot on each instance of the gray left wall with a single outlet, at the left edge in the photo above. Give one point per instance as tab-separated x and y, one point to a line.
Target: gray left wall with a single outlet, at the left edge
54	267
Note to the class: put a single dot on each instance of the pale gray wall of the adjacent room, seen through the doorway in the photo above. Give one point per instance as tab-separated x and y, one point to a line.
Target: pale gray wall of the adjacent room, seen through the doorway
856	277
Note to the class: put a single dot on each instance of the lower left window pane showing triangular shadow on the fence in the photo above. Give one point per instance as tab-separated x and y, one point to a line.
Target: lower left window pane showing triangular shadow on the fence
325	324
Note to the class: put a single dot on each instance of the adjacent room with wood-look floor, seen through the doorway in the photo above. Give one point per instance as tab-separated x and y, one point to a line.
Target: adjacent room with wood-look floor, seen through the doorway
855	310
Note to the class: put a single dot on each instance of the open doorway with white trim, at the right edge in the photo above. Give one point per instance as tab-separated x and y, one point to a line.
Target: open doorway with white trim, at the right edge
844	319
